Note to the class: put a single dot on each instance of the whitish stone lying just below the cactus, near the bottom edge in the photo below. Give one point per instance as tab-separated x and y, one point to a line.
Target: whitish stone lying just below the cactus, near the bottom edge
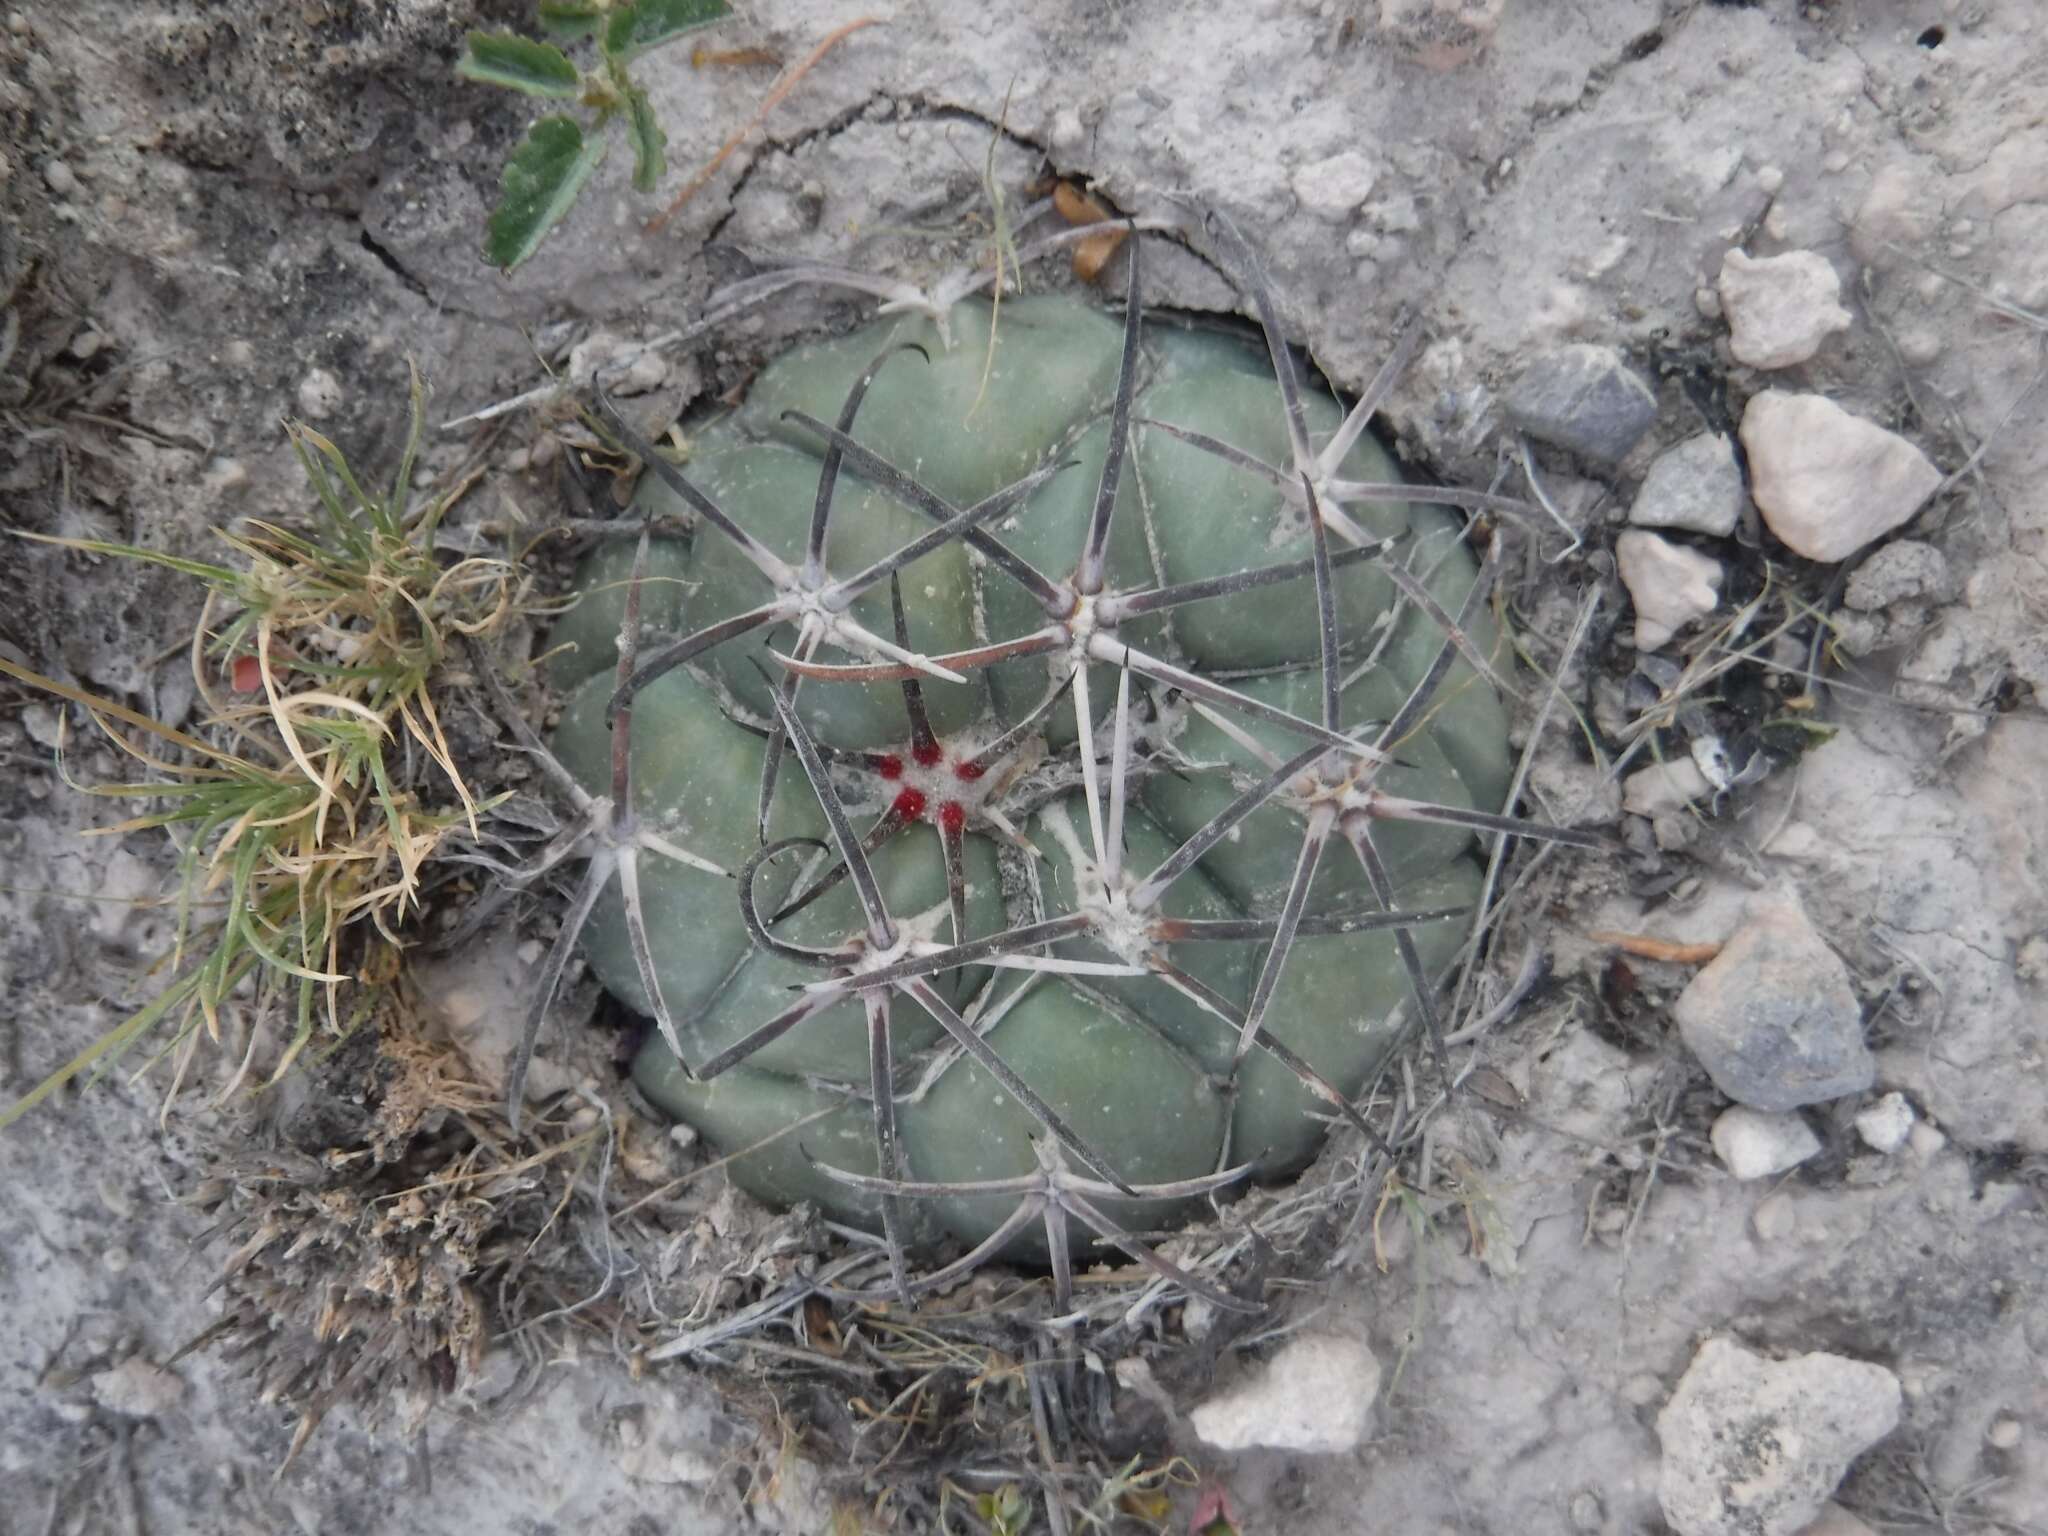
1316	1396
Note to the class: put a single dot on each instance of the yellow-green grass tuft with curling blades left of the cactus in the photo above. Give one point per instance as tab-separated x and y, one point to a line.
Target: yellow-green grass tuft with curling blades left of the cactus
321	781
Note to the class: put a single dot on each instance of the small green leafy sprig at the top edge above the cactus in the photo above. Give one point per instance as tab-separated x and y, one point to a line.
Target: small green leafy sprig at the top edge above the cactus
546	175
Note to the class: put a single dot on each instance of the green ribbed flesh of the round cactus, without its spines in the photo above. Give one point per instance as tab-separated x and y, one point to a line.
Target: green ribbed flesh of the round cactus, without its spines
1146	1074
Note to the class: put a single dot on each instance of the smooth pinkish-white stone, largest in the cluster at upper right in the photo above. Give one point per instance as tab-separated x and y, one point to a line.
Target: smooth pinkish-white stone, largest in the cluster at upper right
1830	482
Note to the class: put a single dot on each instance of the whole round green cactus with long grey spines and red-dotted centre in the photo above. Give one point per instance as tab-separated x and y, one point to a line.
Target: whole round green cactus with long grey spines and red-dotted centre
1064	773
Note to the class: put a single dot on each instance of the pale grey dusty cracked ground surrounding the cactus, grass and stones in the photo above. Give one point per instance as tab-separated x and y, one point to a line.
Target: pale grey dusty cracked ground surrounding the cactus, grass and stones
220	216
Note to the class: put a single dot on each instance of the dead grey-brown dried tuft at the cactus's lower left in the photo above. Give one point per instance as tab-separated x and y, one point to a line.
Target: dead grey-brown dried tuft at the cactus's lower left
378	1269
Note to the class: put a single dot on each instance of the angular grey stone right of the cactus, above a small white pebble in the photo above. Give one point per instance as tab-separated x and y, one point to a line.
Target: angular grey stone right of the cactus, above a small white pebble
1775	1019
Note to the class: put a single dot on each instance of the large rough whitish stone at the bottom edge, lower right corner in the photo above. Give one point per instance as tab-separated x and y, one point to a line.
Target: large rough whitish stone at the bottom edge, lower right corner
1756	1447
